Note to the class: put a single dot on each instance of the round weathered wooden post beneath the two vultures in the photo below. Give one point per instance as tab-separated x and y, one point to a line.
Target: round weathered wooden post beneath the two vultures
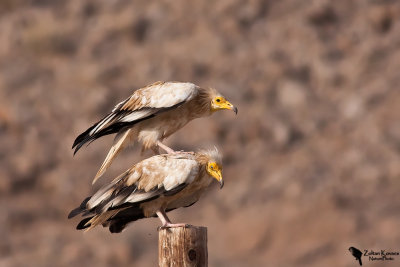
182	246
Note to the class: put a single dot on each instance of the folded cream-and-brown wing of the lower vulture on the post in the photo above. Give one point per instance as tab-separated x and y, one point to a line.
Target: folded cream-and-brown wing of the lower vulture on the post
147	180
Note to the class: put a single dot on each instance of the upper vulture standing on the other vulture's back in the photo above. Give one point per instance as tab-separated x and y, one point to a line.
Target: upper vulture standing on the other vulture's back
151	114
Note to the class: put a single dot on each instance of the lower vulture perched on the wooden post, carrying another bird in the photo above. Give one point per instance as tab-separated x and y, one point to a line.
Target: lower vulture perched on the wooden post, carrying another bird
151	188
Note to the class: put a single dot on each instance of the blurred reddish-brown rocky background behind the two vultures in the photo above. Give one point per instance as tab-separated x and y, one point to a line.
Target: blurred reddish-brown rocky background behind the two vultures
311	160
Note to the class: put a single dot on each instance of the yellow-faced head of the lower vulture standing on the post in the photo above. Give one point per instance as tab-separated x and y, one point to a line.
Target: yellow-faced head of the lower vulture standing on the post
212	160
